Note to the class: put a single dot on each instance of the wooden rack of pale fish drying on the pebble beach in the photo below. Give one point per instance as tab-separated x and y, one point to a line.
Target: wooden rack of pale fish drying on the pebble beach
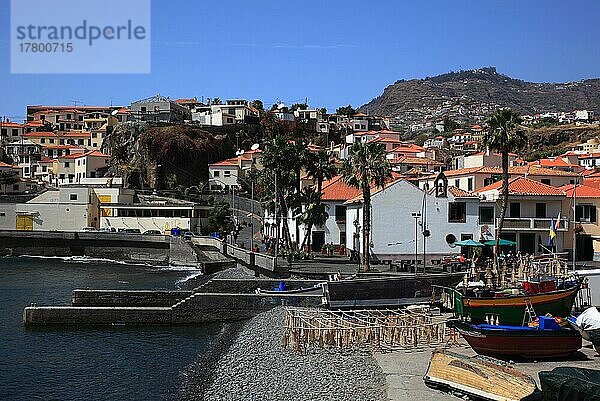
379	330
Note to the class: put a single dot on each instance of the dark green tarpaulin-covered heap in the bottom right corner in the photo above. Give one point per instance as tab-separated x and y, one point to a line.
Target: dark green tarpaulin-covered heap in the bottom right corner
570	384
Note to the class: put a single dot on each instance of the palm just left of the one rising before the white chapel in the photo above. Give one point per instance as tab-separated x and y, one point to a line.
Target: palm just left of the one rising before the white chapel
320	168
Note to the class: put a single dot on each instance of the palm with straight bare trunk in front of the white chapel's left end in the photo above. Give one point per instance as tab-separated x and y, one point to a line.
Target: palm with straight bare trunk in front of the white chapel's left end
366	165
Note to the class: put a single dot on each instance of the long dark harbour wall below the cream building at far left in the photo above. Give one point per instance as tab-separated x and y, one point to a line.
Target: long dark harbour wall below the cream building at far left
155	249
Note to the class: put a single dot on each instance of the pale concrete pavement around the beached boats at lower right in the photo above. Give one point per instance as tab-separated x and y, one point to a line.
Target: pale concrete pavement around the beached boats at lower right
404	370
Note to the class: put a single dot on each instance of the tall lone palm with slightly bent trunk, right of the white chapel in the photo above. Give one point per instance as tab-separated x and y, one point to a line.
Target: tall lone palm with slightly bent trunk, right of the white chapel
505	134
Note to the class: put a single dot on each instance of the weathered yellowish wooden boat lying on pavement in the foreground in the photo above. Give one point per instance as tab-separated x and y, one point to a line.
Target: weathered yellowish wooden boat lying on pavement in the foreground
481	377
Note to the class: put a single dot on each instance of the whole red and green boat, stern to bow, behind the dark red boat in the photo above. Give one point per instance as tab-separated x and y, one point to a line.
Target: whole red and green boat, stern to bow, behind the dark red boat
506	308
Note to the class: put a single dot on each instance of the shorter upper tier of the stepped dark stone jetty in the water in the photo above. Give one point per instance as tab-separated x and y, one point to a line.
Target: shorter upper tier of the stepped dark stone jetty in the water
127	298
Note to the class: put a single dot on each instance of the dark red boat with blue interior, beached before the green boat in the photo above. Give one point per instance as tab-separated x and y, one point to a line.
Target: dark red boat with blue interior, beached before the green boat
548	340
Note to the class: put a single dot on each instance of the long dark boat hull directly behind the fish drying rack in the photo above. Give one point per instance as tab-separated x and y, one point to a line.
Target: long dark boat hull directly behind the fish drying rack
385	291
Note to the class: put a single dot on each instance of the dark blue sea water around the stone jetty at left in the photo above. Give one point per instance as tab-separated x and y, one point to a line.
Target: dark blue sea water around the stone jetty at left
92	363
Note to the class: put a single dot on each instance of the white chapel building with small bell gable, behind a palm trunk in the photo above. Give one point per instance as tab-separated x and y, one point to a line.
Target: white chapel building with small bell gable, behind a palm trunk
449	215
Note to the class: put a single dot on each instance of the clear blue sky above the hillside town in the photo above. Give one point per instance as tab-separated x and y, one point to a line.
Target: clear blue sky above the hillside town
332	52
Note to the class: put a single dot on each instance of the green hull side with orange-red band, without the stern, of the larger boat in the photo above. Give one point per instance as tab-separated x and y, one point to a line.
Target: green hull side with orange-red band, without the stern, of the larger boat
510	310
